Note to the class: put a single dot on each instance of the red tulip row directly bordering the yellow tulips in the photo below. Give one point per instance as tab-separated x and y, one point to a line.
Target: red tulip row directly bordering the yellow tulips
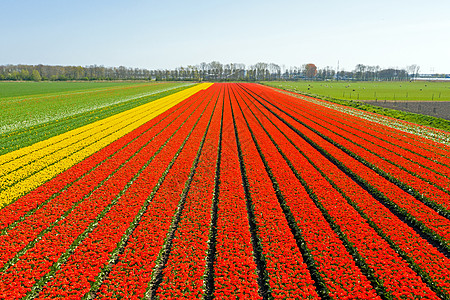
23	207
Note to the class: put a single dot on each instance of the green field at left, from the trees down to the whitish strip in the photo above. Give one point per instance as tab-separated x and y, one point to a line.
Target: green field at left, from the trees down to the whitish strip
29	110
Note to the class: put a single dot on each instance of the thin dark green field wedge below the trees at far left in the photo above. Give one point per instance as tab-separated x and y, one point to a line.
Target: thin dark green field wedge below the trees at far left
14	89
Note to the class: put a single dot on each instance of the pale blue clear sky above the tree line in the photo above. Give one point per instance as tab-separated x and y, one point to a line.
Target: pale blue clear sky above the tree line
169	34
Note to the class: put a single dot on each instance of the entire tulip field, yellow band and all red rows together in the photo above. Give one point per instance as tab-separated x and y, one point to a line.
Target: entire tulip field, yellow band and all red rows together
228	191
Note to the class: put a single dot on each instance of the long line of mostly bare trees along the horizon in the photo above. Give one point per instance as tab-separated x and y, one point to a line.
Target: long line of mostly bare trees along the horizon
213	71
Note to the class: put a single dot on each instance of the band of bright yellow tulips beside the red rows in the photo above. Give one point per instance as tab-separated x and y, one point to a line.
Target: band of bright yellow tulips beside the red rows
27	168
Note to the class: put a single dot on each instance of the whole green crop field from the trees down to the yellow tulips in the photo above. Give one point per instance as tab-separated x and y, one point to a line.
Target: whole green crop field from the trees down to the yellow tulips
27	119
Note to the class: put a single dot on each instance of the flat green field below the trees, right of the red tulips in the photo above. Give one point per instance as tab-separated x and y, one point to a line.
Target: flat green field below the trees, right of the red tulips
399	91
